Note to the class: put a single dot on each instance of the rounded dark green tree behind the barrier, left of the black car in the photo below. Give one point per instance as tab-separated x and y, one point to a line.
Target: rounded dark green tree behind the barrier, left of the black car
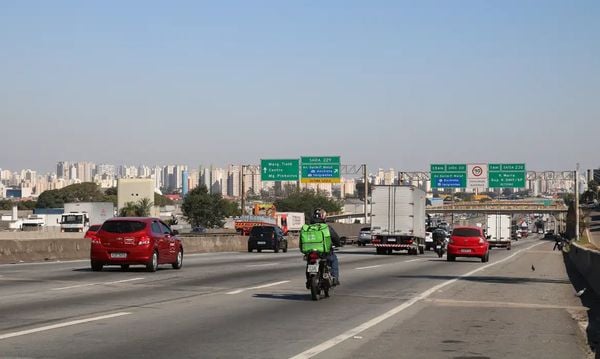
203	209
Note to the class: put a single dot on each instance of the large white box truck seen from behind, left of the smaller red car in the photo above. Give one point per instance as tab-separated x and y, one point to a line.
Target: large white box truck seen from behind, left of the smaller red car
398	219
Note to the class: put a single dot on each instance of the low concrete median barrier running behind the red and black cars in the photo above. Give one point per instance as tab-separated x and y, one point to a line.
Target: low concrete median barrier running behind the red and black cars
36	250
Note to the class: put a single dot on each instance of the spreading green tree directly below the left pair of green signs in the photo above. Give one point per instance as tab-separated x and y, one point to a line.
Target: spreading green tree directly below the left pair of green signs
307	201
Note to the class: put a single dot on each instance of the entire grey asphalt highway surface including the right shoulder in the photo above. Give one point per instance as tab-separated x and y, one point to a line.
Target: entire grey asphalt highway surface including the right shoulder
255	305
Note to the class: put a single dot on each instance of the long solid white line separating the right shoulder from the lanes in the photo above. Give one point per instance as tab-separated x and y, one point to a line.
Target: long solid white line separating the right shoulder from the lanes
373	322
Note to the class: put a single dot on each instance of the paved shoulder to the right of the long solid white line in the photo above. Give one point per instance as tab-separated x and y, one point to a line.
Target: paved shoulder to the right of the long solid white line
504	311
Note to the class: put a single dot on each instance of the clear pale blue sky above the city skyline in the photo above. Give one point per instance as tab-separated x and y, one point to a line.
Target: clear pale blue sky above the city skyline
393	84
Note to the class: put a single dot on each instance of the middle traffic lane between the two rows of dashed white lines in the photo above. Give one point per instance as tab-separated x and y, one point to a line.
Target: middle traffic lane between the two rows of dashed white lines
114	290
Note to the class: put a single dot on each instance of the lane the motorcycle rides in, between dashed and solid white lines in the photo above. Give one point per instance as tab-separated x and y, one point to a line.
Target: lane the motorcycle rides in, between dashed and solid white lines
251	315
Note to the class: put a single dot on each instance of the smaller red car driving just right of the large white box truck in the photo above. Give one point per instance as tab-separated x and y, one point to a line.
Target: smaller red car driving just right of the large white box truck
468	242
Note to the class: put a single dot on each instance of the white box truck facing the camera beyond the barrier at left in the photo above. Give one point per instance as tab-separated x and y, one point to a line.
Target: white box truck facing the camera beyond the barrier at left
78	216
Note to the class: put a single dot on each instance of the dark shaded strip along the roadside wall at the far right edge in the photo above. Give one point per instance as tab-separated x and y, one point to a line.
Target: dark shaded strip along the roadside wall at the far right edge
590	300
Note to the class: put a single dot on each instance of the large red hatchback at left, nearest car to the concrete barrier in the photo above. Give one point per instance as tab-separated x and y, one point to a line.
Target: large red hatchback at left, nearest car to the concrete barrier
128	241
